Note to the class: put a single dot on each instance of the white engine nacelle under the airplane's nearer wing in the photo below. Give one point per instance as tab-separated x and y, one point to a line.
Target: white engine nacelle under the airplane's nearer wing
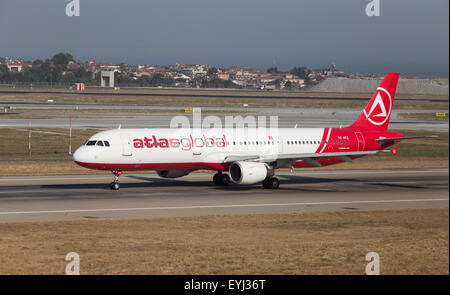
248	172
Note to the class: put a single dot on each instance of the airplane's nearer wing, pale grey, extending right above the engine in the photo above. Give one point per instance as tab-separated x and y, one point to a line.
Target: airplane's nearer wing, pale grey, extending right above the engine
307	157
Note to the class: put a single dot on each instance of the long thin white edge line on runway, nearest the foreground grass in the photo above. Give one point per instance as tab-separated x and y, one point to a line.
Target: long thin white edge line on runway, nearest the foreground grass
220	206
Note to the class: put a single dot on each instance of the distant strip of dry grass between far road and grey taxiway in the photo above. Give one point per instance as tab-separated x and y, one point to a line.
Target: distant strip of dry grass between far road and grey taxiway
217	100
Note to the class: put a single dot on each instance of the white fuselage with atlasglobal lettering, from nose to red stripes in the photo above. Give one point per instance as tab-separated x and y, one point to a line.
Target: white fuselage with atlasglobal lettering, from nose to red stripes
137	147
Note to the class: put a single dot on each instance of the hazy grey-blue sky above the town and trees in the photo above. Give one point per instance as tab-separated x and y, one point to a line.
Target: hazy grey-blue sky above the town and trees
409	36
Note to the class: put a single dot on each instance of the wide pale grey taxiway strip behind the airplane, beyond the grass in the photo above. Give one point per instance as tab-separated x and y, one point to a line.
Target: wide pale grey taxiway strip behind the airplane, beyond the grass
287	118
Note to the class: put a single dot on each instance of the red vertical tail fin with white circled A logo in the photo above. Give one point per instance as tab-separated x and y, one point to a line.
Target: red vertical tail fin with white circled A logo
377	113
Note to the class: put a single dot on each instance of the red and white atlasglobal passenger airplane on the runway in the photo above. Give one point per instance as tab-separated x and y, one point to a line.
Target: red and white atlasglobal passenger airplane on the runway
243	155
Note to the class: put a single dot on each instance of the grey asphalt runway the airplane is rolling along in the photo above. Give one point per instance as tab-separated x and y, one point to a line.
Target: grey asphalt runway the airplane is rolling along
49	198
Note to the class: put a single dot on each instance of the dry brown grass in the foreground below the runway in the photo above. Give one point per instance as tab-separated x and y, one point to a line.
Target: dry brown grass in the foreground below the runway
408	242
